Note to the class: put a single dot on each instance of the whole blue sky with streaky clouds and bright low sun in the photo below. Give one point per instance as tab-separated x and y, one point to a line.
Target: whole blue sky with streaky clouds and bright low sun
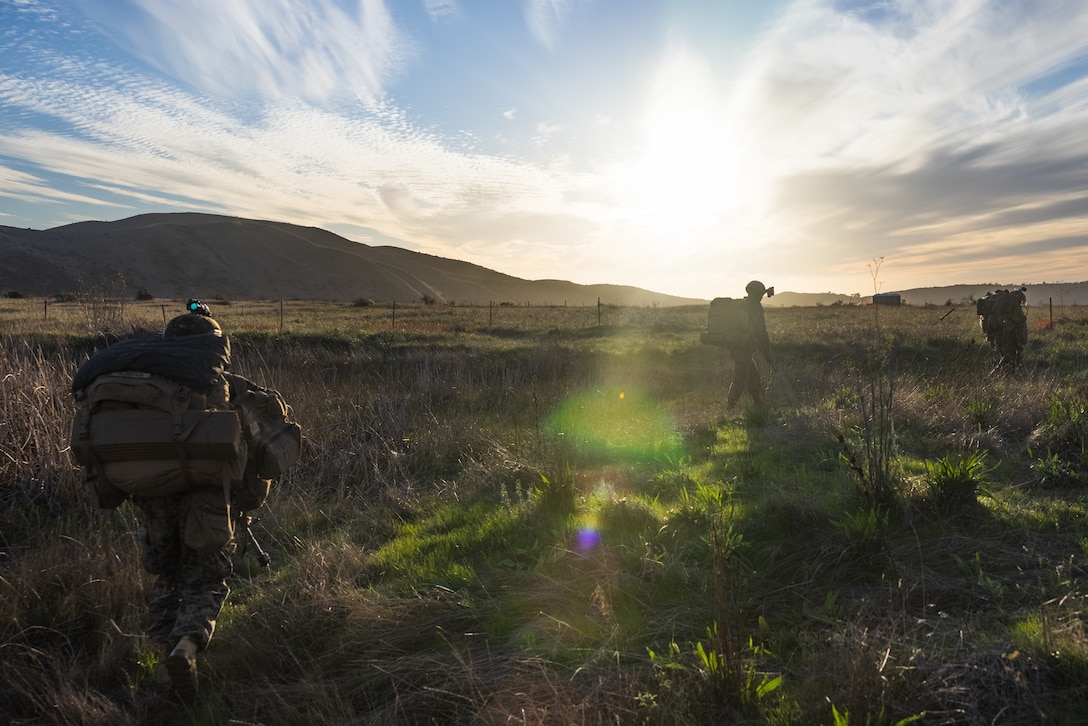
683	146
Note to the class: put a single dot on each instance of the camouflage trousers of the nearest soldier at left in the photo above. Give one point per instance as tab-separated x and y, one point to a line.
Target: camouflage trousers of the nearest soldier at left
190	588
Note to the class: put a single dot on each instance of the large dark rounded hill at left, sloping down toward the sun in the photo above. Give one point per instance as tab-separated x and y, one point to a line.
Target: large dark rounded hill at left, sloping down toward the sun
188	254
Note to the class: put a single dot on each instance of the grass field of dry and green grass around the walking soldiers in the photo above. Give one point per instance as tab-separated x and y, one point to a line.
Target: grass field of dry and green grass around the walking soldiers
515	515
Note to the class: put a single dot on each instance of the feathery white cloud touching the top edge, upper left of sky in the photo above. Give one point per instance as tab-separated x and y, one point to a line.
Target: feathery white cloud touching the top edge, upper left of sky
317	51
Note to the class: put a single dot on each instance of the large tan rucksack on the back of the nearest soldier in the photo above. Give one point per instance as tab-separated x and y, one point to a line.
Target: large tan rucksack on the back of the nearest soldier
154	421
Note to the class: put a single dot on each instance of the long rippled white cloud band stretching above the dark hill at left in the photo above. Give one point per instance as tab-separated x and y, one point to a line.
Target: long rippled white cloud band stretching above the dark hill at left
298	163
